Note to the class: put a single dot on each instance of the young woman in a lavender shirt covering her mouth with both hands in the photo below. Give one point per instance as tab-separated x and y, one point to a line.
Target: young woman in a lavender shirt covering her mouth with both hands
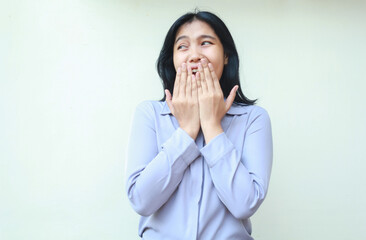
199	161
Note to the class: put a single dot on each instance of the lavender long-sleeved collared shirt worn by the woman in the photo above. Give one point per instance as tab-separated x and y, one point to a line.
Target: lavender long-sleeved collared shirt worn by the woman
185	189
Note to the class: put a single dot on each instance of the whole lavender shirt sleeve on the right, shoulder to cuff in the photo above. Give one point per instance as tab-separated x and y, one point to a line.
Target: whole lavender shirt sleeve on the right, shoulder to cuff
241	178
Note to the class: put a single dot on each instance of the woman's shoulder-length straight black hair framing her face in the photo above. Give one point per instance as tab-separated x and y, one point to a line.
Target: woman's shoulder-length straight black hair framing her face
230	74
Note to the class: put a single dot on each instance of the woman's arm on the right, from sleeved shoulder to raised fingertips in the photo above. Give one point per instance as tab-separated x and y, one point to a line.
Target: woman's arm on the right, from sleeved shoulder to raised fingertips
240	178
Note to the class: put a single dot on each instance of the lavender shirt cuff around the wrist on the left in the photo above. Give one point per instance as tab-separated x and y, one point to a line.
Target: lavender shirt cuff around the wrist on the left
181	146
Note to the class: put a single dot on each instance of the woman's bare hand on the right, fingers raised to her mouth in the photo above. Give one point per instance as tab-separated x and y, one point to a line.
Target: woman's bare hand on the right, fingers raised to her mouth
212	106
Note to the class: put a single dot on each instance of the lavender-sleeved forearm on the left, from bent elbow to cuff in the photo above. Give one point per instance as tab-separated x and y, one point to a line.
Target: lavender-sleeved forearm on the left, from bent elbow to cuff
150	186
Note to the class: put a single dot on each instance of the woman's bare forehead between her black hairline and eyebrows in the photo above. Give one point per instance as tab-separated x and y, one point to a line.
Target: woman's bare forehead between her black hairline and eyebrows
195	29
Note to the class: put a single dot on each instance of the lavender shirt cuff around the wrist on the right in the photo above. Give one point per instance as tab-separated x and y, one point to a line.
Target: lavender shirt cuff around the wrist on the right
216	149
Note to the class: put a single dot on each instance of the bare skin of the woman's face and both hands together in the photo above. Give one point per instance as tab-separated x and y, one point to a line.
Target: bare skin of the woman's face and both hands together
197	101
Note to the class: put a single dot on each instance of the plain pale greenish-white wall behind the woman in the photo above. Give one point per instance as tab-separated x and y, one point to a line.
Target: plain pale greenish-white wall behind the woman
73	71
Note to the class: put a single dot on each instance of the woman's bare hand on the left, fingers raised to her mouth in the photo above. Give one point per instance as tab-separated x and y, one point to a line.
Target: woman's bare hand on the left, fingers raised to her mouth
184	102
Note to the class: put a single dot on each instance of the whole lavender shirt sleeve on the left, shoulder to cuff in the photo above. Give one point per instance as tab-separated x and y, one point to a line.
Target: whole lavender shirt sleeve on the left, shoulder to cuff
153	172
